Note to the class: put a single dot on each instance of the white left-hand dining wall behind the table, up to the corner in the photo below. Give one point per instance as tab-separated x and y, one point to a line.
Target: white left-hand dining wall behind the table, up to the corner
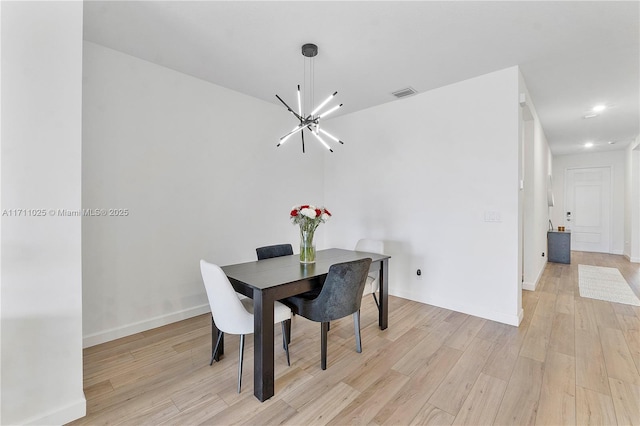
197	167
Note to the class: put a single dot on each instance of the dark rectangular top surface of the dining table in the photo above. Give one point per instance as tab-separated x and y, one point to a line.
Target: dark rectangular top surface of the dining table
262	274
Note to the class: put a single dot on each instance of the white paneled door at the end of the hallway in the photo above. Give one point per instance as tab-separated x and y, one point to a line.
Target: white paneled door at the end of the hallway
588	208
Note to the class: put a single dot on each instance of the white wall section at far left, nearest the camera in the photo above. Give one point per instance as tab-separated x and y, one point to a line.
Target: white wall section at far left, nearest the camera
41	316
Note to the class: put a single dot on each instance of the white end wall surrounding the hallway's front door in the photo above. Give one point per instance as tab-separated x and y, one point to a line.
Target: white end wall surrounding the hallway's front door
613	159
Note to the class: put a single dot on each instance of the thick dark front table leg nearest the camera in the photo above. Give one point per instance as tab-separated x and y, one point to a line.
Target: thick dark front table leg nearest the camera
263	363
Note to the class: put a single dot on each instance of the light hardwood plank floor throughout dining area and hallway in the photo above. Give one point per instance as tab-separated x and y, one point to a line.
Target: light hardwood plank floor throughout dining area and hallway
572	361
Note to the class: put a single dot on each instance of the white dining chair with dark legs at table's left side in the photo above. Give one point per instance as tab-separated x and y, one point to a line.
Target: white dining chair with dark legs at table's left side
233	313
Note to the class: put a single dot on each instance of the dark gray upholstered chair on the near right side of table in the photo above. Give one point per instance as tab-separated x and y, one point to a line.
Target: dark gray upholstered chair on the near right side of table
339	297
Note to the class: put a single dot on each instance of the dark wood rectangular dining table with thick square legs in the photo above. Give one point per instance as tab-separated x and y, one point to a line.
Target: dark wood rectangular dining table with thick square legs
268	280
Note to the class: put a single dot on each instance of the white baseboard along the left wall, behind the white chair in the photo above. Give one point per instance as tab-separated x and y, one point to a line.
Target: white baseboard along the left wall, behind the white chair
129	329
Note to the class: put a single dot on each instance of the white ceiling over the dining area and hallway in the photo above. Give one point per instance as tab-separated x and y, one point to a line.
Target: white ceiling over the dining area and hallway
572	54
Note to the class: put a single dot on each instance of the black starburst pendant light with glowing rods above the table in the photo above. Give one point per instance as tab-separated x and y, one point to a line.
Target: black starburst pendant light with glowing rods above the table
311	121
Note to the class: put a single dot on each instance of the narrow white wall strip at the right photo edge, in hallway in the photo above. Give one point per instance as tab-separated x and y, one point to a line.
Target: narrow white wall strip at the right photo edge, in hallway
632	202
